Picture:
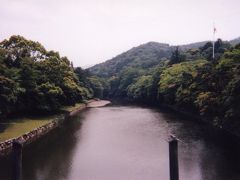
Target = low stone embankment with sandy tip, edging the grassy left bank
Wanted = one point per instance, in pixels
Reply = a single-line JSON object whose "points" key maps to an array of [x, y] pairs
{"points": [[6, 146]]}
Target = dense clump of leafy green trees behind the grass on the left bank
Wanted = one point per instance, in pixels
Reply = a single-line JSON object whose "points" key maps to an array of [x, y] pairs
{"points": [[34, 79]]}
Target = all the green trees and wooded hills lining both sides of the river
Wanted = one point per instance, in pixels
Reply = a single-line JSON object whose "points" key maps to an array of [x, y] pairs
{"points": [[185, 77]]}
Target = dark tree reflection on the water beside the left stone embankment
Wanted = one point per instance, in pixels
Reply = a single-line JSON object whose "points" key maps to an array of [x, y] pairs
{"points": [[50, 157]]}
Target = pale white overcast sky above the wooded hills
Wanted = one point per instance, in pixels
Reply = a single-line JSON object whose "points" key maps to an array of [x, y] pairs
{"points": [[92, 31]]}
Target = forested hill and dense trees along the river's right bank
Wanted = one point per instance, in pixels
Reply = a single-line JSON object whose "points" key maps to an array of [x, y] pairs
{"points": [[187, 79]]}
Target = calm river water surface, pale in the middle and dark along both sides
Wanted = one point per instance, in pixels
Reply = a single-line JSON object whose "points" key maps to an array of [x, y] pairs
{"points": [[127, 143]]}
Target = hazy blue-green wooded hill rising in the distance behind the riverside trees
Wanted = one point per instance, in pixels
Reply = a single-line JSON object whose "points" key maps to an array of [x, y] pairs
{"points": [[143, 56]]}
